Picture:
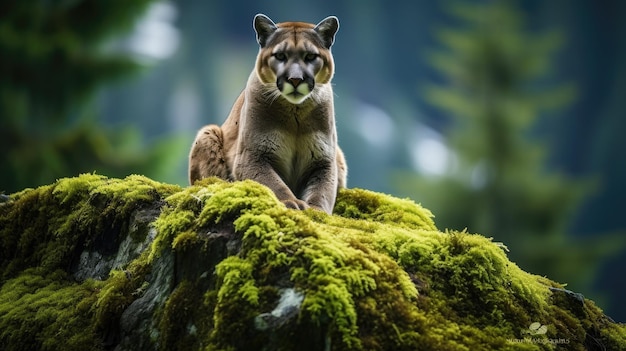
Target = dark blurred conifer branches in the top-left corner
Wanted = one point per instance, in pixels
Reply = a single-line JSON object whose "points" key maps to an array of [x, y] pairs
{"points": [[52, 55]]}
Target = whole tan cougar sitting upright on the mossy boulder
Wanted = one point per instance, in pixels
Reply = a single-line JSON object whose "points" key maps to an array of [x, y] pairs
{"points": [[281, 130]]}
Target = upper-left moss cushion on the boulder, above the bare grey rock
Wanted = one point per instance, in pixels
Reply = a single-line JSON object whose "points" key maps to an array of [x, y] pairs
{"points": [[50, 226]]}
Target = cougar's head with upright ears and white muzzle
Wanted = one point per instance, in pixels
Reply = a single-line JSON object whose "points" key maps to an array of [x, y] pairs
{"points": [[295, 56]]}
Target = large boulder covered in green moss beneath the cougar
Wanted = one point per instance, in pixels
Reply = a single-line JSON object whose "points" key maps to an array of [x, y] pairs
{"points": [[92, 263]]}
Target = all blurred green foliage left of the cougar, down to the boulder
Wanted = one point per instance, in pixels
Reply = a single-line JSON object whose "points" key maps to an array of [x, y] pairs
{"points": [[53, 58]]}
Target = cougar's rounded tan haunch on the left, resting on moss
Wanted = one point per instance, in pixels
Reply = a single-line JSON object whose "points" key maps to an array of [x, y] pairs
{"points": [[207, 157]]}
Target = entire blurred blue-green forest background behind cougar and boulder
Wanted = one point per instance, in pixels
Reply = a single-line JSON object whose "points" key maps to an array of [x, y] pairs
{"points": [[502, 117]]}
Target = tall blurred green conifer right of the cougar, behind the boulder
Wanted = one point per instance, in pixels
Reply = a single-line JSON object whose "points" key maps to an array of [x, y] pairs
{"points": [[494, 93]]}
